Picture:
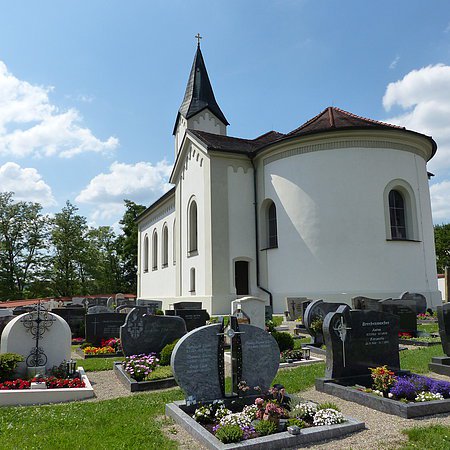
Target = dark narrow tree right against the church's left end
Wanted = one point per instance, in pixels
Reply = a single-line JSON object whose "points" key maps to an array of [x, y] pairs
{"points": [[128, 245]]}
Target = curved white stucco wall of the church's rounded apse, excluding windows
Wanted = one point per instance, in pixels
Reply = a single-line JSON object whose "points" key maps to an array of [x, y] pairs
{"points": [[331, 224]]}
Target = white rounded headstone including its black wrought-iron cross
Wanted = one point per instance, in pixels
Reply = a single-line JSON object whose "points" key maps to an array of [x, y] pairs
{"points": [[41, 337]]}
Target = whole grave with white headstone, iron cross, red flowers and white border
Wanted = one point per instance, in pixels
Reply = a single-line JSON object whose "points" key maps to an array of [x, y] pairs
{"points": [[35, 362]]}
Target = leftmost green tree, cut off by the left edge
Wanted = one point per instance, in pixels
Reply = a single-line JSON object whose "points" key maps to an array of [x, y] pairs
{"points": [[23, 244]]}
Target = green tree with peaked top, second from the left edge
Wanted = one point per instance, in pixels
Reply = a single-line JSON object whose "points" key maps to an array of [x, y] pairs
{"points": [[70, 260]]}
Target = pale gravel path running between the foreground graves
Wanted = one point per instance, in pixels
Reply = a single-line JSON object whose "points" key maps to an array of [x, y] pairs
{"points": [[383, 431]]}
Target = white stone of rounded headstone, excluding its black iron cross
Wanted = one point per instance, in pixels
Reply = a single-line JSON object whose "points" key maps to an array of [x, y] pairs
{"points": [[55, 340]]}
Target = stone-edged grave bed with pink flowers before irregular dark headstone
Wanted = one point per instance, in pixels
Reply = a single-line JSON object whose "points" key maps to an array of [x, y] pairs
{"points": [[143, 373]]}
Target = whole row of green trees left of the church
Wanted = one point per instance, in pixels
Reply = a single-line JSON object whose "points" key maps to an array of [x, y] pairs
{"points": [[60, 255]]}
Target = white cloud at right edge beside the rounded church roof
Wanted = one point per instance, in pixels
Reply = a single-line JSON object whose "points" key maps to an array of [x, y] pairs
{"points": [[424, 96]]}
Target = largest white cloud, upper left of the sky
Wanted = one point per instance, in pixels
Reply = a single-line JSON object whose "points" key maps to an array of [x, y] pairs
{"points": [[31, 125]]}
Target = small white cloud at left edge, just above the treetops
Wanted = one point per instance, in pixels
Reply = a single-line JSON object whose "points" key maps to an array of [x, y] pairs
{"points": [[26, 183]]}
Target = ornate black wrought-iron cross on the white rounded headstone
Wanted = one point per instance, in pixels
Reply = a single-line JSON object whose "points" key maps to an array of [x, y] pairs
{"points": [[37, 323]]}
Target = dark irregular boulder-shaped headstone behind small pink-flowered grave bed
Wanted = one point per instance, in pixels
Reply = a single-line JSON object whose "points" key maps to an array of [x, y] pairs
{"points": [[145, 333]]}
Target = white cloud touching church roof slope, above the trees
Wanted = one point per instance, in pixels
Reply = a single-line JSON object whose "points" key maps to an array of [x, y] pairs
{"points": [[141, 182]]}
